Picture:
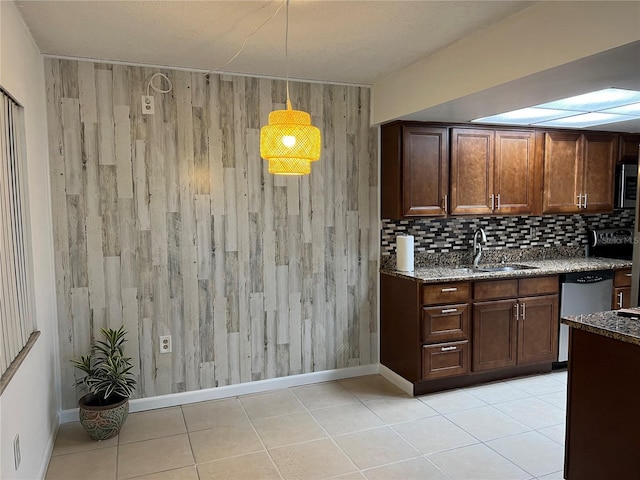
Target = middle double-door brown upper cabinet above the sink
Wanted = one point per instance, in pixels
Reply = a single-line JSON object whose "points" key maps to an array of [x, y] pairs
{"points": [[493, 172]]}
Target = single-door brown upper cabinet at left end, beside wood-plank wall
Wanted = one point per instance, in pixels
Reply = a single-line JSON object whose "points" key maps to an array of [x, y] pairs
{"points": [[414, 171]]}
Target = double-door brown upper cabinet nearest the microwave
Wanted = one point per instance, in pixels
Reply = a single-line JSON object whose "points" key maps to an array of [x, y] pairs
{"points": [[579, 172]]}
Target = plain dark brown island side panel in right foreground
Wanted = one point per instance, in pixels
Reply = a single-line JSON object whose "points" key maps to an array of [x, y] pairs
{"points": [[603, 397]]}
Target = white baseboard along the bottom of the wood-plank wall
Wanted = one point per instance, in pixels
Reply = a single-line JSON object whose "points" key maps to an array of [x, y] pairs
{"points": [[182, 398]]}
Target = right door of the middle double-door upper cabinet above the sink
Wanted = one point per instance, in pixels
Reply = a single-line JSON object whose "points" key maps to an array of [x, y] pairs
{"points": [[514, 184]]}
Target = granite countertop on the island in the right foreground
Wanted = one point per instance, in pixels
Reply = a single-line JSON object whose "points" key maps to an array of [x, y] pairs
{"points": [[608, 324]]}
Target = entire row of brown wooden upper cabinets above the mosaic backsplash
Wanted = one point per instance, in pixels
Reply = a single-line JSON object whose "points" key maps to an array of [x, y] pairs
{"points": [[435, 170]]}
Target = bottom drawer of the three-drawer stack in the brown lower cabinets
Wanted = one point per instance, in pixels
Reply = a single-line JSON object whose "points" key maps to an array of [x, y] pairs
{"points": [[445, 360]]}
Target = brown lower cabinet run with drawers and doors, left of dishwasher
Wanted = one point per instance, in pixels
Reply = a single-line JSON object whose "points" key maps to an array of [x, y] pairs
{"points": [[434, 337]]}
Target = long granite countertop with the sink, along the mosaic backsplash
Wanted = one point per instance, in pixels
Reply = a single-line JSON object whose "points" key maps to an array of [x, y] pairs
{"points": [[537, 268]]}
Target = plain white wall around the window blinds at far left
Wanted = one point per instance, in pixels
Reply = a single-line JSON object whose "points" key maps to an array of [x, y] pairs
{"points": [[29, 405]]}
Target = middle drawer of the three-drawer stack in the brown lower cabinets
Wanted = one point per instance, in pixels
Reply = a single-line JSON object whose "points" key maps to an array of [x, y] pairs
{"points": [[445, 323]]}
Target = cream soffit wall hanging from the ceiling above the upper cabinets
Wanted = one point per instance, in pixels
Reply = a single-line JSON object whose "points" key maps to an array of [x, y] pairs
{"points": [[541, 37]]}
